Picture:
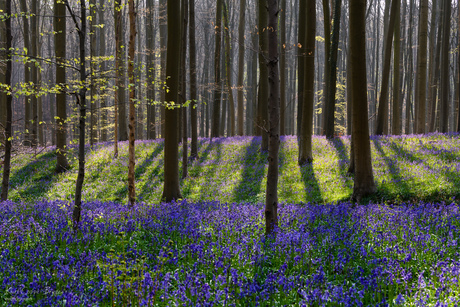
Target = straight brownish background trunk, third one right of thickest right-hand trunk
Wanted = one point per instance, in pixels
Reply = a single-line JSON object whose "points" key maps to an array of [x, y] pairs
{"points": [[420, 87]]}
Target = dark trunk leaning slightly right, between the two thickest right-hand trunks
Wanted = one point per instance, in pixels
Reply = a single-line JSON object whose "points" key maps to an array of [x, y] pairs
{"points": [[331, 84]]}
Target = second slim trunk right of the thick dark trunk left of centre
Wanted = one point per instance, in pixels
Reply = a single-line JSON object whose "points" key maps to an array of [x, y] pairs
{"points": [[193, 83]]}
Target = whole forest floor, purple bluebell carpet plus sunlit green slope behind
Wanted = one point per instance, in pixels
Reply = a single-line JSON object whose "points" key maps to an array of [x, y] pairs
{"points": [[398, 247]]}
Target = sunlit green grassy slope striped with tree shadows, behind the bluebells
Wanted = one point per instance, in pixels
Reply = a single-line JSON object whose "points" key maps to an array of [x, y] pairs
{"points": [[234, 170]]}
